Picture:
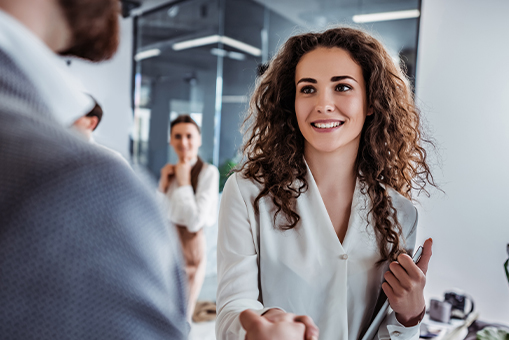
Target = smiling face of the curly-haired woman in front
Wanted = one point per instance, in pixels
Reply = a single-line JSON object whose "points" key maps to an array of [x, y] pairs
{"points": [[330, 99]]}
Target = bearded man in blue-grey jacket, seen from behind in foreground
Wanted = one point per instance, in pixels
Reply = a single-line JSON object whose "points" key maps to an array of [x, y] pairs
{"points": [[84, 250]]}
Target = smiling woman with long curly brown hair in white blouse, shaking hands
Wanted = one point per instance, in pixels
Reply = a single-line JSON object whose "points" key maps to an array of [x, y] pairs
{"points": [[311, 221]]}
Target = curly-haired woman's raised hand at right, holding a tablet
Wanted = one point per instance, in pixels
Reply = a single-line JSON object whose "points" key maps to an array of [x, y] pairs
{"points": [[404, 286]]}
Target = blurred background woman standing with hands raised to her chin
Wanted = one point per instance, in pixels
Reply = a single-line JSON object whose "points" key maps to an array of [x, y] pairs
{"points": [[191, 188]]}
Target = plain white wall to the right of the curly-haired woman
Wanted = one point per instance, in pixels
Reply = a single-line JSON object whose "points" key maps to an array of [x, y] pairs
{"points": [[463, 91]]}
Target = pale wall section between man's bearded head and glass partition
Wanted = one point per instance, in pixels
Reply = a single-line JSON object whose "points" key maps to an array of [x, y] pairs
{"points": [[110, 83]]}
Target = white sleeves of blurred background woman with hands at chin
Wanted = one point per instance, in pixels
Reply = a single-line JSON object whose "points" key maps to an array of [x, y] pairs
{"points": [[195, 210]]}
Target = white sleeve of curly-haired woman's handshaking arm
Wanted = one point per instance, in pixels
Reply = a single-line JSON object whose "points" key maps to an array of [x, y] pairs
{"points": [[237, 265]]}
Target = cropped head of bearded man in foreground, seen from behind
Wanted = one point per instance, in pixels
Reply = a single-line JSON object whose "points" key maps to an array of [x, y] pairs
{"points": [[87, 29]]}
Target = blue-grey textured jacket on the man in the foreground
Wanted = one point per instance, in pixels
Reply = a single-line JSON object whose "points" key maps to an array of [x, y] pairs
{"points": [[84, 250]]}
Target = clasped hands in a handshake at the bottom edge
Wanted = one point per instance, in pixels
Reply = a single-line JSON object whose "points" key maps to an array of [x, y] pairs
{"points": [[276, 324]]}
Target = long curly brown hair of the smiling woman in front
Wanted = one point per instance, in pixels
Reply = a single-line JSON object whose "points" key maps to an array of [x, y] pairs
{"points": [[390, 153]]}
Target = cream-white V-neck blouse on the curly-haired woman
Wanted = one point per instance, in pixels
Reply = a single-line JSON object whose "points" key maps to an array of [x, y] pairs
{"points": [[305, 270]]}
